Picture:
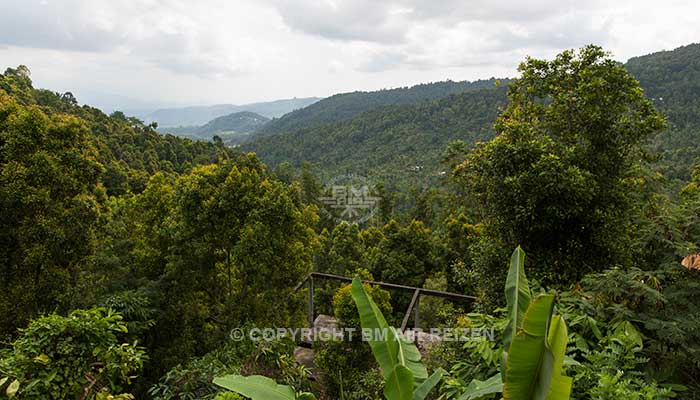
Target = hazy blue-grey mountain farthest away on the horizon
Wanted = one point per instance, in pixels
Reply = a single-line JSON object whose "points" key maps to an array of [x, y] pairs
{"points": [[200, 115]]}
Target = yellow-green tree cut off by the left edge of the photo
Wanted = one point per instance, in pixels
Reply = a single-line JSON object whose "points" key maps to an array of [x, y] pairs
{"points": [[48, 174]]}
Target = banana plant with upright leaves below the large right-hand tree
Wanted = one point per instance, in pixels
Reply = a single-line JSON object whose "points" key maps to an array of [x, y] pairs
{"points": [[535, 344]]}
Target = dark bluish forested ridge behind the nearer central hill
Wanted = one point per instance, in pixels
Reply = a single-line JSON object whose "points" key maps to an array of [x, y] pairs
{"points": [[344, 106]]}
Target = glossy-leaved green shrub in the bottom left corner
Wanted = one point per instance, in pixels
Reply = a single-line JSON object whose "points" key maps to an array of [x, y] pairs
{"points": [[82, 354]]}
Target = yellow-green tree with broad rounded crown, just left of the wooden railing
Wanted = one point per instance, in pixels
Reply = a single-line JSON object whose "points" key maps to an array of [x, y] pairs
{"points": [[241, 241]]}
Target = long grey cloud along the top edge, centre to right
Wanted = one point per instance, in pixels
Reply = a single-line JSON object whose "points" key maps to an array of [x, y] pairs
{"points": [[389, 22]]}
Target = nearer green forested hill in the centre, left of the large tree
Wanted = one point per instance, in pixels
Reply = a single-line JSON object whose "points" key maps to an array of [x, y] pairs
{"points": [[392, 142]]}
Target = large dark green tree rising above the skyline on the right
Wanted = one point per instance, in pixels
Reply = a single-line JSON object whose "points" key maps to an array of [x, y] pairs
{"points": [[557, 178]]}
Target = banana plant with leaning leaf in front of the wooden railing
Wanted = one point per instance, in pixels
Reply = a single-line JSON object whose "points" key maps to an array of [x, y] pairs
{"points": [[405, 376]]}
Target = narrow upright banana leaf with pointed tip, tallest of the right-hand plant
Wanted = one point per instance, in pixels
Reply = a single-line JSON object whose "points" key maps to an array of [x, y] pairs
{"points": [[517, 296]]}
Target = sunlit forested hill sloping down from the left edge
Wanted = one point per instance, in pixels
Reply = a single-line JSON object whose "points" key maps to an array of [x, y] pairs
{"points": [[127, 150]]}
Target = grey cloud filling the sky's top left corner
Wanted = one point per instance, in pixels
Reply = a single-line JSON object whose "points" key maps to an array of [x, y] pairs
{"points": [[159, 32]]}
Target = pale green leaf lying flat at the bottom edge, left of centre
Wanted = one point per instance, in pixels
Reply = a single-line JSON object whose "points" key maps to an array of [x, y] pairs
{"points": [[256, 387]]}
